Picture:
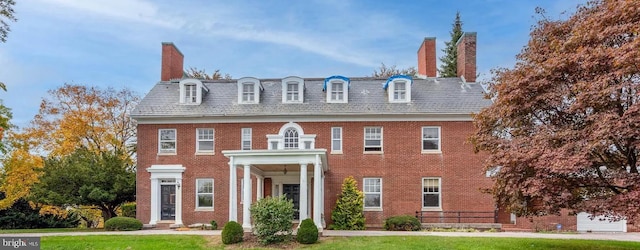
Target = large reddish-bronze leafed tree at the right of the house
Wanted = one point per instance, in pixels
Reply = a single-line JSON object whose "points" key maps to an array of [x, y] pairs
{"points": [[564, 126]]}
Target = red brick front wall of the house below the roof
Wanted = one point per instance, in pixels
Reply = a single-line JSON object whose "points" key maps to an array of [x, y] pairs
{"points": [[401, 167]]}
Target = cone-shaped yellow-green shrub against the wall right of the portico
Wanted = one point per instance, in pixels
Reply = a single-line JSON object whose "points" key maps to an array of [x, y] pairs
{"points": [[349, 211]]}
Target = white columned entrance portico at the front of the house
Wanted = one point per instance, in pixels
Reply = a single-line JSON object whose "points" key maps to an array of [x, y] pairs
{"points": [[284, 167]]}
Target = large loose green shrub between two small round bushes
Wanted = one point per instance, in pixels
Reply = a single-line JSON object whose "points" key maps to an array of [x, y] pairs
{"points": [[273, 219]]}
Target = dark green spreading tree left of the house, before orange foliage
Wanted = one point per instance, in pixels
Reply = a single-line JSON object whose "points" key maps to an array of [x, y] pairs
{"points": [[101, 179]]}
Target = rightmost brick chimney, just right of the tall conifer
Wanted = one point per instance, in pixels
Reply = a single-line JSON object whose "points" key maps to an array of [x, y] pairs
{"points": [[466, 60]]}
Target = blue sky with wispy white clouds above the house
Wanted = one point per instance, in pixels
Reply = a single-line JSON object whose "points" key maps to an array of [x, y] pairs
{"points": [[117, 43]]}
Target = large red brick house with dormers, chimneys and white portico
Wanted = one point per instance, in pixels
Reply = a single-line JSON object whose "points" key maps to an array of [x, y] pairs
{"points": [[207, 149]]}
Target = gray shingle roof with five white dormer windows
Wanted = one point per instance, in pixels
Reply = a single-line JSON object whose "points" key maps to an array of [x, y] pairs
{"points": [[366, 96]]}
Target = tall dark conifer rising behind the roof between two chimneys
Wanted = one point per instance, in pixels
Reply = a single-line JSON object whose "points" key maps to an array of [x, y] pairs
{"points": [[449, 66]]}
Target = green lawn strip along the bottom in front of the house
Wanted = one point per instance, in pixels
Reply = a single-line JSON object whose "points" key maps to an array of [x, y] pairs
{"points": [[156, 242]]}
